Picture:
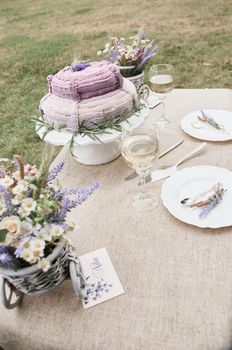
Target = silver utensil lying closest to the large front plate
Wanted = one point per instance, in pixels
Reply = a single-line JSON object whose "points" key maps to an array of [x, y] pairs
{"points": [[164, 173]]}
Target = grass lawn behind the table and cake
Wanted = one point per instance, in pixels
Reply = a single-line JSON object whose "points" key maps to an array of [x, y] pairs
{"points": [[39, 37]]}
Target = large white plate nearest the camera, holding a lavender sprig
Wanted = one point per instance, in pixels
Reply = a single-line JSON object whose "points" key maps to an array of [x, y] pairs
{"points": [[193, 181]]}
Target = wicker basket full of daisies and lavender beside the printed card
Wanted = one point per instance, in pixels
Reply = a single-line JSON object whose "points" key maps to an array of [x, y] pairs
{"points": [[34, 243]]}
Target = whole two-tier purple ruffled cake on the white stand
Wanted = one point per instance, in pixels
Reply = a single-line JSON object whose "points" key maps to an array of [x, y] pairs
{"points": [[86, 94]]}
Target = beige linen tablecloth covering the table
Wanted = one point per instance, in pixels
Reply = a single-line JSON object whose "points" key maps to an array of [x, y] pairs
{"points": [[177, 277]]}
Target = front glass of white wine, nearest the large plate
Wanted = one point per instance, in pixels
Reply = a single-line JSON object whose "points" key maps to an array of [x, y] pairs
{"points": [[140, 149]]}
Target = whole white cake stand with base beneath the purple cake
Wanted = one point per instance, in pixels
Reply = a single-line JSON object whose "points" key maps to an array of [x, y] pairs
{"points": [[94, 152]]}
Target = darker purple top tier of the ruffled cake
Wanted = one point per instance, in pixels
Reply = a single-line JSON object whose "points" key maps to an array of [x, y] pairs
{"points": [[95, 79]]}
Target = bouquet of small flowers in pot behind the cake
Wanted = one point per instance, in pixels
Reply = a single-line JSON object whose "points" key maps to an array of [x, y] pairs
{"points": [[132, 56]]}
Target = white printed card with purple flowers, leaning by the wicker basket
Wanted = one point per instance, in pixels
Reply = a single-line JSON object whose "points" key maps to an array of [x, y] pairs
{"points": [[102, 280]]}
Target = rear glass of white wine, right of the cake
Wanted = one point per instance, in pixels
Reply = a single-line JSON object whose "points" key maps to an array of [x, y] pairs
{"points": [[161, 82]]}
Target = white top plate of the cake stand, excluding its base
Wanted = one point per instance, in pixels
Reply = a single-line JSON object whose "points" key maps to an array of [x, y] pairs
{"points": [[61, 138]]}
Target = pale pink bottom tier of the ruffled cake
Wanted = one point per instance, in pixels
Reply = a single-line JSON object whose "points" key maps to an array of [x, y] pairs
{"points": [[67, 114]]}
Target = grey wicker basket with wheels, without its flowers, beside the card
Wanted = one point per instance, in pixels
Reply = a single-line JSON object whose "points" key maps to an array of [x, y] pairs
{"points": [[32, 280]]}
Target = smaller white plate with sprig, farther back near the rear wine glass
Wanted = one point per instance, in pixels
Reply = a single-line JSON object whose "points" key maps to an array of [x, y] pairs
{"points": [[208, 133]]}
